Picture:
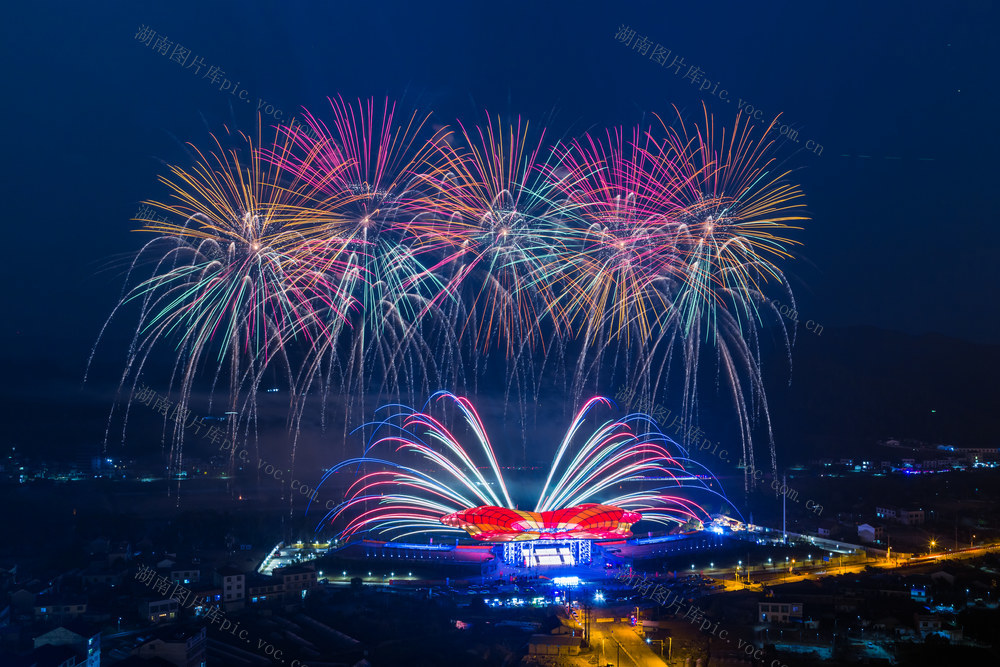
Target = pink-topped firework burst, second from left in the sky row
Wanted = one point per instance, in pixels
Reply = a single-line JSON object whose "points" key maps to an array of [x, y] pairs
{"points": [[371, 165]]}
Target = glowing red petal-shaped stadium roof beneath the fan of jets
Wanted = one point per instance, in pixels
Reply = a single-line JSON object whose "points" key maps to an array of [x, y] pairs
{"points": [[583, 522]]}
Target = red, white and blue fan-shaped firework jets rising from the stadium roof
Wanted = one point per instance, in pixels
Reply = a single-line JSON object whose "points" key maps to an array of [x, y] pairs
{"points": [[422, 472]]}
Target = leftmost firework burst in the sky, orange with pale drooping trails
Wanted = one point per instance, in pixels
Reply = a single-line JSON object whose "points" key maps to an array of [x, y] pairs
{"points": [[234, 278]]}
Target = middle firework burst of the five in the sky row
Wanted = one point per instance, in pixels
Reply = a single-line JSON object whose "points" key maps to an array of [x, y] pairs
{"points": [[493, 219]]}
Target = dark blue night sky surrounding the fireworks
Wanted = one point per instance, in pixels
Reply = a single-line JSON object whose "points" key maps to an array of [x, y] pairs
{"points": [[902, 97]]}
